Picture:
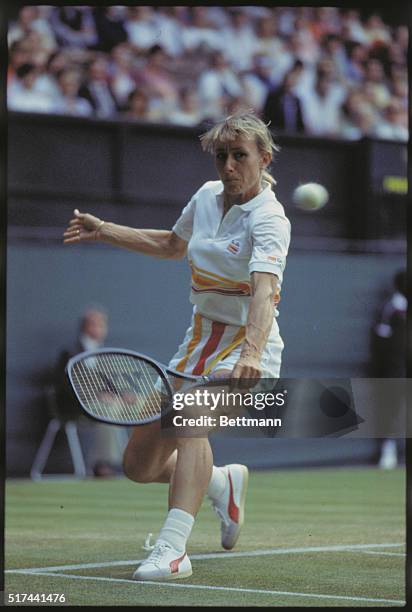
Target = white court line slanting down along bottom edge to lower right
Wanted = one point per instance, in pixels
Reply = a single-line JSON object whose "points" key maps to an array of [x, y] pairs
{"points": [[221, 588]]}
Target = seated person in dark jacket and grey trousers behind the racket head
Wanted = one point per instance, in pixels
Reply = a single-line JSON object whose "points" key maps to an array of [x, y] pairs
{"points": [[103, 448]]}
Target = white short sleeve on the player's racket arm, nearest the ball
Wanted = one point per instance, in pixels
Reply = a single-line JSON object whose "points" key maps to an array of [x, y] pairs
{"points": [[270, 234]]}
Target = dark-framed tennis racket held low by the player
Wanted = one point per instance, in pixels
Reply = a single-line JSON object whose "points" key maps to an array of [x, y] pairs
{"points": [[123, 387]]}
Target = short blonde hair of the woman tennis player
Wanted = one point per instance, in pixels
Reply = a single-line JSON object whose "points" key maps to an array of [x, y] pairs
{"points": [[245, 124]]}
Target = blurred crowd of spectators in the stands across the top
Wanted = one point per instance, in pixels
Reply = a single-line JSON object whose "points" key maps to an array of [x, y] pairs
{"points": [[322, 71]]}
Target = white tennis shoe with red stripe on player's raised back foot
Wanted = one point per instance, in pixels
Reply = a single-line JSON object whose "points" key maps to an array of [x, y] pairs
{"points": [[230, 507]]}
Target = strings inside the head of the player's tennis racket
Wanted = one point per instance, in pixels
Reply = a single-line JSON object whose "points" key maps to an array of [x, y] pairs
{"points": [[119, 387]]}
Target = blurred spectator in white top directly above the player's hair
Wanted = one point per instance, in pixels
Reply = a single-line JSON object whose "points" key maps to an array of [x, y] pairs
{"points": [[216, 86]]}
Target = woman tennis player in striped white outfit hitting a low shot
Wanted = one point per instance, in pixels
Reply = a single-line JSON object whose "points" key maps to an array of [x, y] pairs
{"points": [[236, 237]]}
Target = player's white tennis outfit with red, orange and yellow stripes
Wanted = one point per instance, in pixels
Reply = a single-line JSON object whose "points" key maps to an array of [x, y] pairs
{"points": [[222, 253]]}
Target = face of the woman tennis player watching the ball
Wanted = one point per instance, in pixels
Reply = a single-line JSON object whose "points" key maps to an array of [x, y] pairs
{"points": [[239, 164]]}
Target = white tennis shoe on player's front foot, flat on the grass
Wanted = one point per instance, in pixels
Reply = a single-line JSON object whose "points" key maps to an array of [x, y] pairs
{"points": [[164, 563]]}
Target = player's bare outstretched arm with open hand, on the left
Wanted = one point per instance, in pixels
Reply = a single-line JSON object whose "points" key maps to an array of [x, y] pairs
{"points": [[164, 244]]}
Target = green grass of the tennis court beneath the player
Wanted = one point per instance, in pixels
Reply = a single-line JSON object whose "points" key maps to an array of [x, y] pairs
{"points": [[96, 521]]}
